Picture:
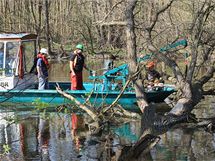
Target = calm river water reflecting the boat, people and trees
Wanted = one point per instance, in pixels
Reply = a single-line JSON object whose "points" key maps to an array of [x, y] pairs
{"points": [[51, 136]]}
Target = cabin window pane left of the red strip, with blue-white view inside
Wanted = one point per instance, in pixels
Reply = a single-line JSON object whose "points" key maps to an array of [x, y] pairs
{"points": [[12, 49]]}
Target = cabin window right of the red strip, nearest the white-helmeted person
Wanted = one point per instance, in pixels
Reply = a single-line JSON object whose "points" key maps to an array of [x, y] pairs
{"points": [[29, 54]]}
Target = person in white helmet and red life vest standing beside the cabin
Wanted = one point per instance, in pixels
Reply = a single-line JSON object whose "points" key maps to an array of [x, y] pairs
{"points": [[42, 69]]}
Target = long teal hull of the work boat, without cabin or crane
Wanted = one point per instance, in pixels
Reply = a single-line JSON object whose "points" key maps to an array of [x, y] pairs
{"points": [[97, 98]]}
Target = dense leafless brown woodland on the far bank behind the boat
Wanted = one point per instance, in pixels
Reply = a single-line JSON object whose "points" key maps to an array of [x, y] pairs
{"points": [[98, 24]]}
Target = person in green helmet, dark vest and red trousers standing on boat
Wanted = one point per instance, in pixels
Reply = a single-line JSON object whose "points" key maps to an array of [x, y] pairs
{"points": [[77, 63]]}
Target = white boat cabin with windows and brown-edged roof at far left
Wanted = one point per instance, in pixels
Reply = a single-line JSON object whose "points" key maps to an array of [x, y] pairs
{"points": [[17, 54]]}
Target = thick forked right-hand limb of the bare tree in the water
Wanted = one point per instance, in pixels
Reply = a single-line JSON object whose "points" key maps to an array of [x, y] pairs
{"points": [[191, 90]]}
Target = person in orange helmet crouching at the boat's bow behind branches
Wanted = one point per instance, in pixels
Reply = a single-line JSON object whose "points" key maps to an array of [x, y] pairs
{"points": [[153, 77]]}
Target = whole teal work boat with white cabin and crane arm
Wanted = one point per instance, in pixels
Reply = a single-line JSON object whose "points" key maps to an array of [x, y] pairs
{"points": [[18, 85]]}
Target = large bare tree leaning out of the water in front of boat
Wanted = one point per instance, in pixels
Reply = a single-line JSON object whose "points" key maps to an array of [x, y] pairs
{"points": [[190, 84]]}
